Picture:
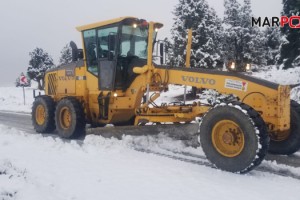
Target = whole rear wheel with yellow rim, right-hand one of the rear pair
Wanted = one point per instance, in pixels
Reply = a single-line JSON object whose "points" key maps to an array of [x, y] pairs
{"points": [[70, 118]]}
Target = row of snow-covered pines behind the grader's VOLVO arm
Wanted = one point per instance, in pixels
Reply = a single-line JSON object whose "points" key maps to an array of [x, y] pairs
{"points": [[218, 41]]}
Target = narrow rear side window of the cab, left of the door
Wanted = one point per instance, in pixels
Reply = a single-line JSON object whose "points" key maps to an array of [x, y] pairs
{"points": [[91, 50]]}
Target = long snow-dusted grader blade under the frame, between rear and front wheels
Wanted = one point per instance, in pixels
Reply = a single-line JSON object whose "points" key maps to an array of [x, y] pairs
{"points": [[177, 131]]}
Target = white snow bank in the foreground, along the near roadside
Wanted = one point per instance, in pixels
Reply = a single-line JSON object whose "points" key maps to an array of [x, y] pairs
{"points": [[45, 167]]}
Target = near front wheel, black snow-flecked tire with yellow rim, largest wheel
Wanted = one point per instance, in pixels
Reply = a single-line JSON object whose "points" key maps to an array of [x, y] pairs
{"points": [[234, 137]]}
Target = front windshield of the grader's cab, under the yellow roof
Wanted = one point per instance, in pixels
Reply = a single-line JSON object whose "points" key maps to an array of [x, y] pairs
{"points": [[134, 41]]}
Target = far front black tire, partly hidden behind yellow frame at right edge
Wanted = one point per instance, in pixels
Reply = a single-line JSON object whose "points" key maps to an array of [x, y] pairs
{"points": [[292, 143]]}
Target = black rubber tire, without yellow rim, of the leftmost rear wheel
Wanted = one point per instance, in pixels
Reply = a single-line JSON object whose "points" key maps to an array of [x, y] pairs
{"points": [[49, 106]]}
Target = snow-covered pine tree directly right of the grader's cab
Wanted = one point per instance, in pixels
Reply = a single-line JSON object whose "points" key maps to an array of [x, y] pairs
{"points": [[207, 33]]}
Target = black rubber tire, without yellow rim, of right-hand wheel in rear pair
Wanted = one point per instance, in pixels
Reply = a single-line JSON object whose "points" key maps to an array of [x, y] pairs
{"points": [[78, 122]]}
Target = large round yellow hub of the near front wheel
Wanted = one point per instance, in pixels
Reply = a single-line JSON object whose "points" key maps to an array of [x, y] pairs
{"points": [[228, 138]]}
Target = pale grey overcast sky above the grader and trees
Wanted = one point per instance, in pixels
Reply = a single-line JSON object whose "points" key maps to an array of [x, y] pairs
{"points": [[50, 24]]}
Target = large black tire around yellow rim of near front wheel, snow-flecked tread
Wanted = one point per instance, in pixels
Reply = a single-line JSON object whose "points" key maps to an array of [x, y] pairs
{"points": [[256, 139]]}
